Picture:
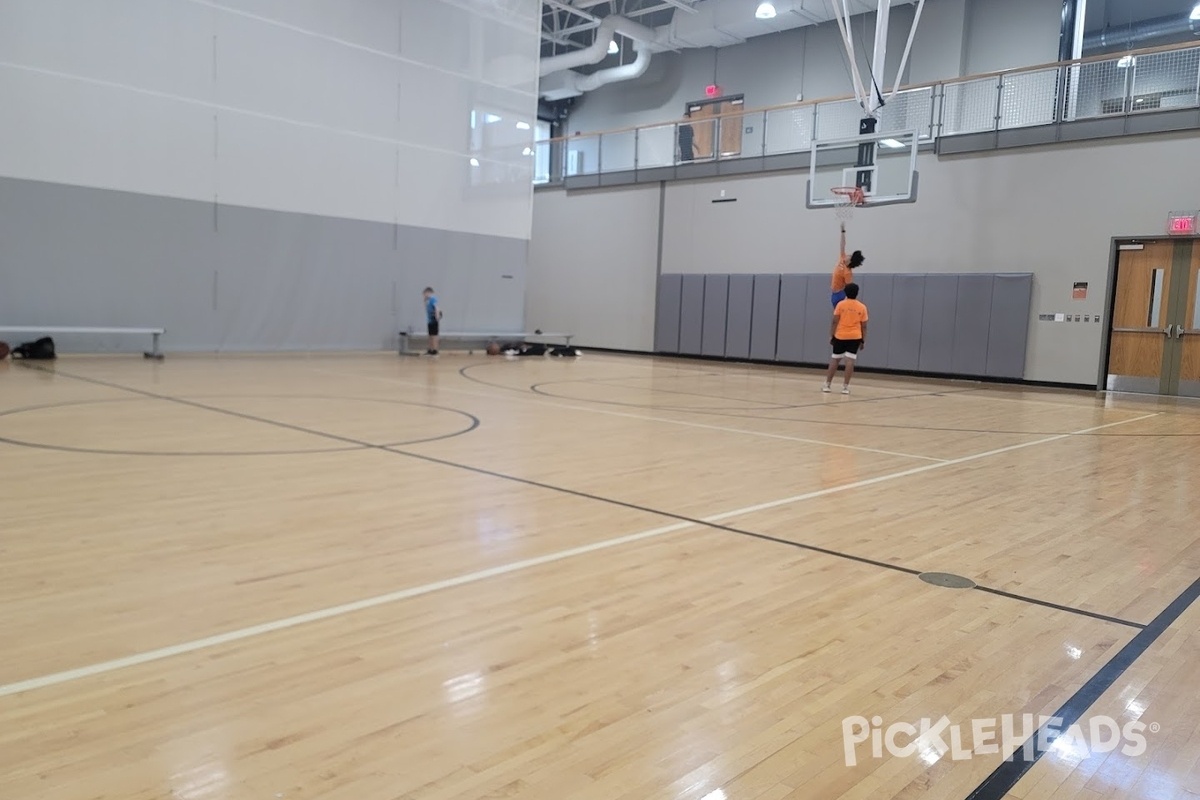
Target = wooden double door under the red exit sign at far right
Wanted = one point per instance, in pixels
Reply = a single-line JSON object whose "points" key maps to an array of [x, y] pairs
{"points": [[1155, 345]]}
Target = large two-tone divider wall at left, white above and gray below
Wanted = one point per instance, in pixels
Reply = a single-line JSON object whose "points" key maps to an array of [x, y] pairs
{"points": [[333, 112]]}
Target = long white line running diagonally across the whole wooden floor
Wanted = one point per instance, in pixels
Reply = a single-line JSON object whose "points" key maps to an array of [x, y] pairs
{"points": [[473, 578]]}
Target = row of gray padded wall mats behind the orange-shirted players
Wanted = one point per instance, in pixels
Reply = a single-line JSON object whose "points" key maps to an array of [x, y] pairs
{"points": [[970, 324]]}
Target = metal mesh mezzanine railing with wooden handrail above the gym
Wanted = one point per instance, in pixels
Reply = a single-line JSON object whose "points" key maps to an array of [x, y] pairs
{"points": [[1138, 82]]}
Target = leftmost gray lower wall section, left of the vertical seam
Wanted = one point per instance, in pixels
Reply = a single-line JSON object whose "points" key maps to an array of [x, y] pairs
{"points": [[83, 257]]}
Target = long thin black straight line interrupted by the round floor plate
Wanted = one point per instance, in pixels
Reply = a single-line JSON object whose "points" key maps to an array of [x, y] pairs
{"points": [[578, 494]]}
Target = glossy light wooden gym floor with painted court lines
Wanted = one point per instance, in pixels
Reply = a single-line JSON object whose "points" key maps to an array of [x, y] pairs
{"points": [[369, 578]]}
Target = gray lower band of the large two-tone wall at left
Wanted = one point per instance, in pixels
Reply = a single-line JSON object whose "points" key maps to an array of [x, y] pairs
{"points": [[236, 279]]}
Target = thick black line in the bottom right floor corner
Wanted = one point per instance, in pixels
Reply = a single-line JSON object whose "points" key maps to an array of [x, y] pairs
{"points": [[1009, 774]]}
